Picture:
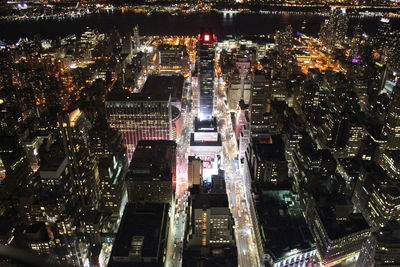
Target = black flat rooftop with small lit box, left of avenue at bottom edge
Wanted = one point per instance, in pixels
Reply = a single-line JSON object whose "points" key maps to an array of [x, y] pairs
{"points": [[141, 234]]}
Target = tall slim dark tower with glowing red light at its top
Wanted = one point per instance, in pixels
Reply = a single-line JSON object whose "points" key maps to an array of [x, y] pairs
{"points": [[206, 69]]}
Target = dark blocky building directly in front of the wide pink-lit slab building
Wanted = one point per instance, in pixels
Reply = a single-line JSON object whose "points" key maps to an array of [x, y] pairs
{"points": [[152, 172]]}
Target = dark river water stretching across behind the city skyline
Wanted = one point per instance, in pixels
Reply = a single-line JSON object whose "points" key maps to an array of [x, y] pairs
{"points": [[166, 24]]}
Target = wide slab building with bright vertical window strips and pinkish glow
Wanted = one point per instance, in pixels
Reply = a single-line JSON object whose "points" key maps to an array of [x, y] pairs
{"points": [[152, 114]]}
